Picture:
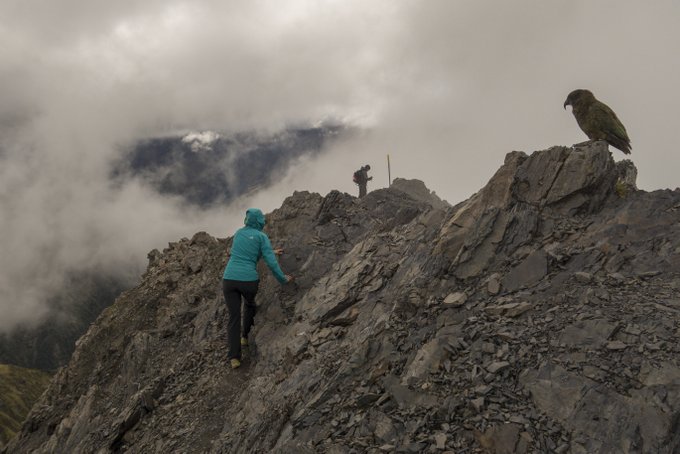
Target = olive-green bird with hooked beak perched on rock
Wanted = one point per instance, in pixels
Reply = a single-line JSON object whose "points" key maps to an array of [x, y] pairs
{"points": [[597, 120]]}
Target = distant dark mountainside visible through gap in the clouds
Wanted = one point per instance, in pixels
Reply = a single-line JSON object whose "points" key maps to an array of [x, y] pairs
{"points": [[209, 168]]}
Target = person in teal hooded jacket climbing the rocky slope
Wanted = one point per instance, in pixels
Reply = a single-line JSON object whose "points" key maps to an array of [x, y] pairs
{"points": [[241, 279]]}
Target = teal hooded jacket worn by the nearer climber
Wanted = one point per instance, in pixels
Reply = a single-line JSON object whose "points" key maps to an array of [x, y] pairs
{"points": [[249, 245]]}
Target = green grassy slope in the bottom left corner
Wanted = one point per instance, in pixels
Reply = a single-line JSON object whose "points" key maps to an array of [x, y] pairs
{"points": [[19, 389]]}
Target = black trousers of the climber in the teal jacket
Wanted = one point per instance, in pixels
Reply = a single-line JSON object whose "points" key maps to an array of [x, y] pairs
{"points": [[233, 290]]}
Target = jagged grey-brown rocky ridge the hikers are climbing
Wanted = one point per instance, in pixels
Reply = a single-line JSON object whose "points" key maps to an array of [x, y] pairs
{"points": [[540, 315]]}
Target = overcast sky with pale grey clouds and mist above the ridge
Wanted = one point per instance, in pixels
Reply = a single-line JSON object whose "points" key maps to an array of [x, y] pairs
{"points": [[446, 87]]}
